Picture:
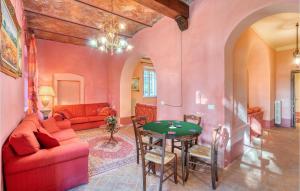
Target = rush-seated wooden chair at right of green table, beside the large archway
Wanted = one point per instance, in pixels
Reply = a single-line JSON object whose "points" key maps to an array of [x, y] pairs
{"points": [[205, 156]]}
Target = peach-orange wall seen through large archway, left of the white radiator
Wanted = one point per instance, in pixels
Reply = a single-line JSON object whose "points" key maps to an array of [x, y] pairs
{"points": [[259, 59]]}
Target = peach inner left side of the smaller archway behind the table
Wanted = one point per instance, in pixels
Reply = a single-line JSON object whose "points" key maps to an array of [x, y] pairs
{"points": [[126, 104]]}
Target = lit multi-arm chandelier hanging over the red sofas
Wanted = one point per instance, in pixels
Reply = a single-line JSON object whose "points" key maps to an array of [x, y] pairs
{"points": [[111, 42]]}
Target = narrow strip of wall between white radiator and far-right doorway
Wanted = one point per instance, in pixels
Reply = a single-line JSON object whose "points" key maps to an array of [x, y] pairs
{"points": [[284, 66]]}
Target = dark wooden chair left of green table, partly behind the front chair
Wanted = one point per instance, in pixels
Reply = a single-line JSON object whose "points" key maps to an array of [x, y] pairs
{"points": [[138, 123]]}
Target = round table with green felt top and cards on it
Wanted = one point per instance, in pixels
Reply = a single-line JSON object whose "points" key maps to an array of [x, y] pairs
{"points": [[175, 129]]}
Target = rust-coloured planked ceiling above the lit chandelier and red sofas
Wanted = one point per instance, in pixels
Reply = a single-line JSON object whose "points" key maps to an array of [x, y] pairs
{"points": [[73, 21]]}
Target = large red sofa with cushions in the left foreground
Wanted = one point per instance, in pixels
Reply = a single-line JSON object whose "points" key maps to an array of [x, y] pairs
{"points": [[28, 167]]}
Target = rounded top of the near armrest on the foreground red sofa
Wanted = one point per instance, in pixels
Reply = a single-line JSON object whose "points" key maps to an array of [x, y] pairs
{"points": [[46, 157]]}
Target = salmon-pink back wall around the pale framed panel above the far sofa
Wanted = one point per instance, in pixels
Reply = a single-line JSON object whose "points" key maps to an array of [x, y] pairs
{"points": [[54, 57]]}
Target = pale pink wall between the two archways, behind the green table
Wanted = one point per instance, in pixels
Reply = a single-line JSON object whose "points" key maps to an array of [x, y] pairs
{"points": [[210, 25]]}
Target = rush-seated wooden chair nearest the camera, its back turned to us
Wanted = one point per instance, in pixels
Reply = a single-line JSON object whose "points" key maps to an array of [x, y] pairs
{"points": [[156, 154]]}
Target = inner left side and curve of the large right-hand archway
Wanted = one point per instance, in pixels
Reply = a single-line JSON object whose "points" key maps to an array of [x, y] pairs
{"points": [[235, 102]]}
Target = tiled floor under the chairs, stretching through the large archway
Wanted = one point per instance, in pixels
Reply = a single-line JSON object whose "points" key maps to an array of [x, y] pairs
{"points": [[272, 165]]}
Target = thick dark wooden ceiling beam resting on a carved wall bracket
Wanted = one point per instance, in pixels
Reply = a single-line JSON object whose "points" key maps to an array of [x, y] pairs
{"points": [[174, 9]]}
